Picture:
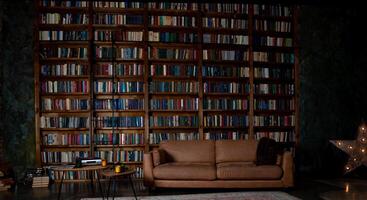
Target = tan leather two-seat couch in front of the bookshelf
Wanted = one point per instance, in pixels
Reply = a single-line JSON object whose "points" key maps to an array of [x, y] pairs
{"points": [[214, 164]]}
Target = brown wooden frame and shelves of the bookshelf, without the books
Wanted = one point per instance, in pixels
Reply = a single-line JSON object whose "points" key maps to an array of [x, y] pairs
{"points": [[147, 95]]}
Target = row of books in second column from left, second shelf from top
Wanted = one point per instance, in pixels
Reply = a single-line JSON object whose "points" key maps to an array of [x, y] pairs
{"points": [[117, 19]]}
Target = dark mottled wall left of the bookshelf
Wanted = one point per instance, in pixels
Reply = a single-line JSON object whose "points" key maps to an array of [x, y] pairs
{"points": [[17, 92]]}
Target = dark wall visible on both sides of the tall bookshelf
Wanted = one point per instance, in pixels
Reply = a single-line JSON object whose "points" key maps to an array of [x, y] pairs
{"points": [[333, 96]]}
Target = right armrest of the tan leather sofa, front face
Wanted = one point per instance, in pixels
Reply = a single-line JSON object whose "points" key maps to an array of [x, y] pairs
{"points": [[288, 169]]}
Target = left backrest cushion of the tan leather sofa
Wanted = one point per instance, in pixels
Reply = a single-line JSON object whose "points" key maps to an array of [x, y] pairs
{"points": [[189, 151]]}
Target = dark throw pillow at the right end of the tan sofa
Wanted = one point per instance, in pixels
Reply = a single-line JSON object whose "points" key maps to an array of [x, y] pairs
{"points": [[266, 153]]}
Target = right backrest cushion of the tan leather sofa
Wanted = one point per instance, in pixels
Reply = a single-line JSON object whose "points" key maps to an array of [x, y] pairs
{"points": [[235, 150]]}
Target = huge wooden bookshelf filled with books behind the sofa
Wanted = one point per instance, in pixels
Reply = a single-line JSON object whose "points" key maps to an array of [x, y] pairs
{"points": [[113, 79]]}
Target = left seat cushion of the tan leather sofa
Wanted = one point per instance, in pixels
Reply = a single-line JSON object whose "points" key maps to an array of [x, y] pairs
{"points": [[185, 171]]}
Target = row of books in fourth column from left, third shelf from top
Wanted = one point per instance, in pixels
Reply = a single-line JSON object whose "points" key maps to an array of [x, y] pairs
{"points": [[225, 39]]}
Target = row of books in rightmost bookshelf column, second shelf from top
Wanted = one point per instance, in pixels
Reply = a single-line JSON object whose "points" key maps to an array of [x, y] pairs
{"points": [[271, 25]]}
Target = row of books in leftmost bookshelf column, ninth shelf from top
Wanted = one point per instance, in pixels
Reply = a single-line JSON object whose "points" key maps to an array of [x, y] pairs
{"points": [[81, 138]]}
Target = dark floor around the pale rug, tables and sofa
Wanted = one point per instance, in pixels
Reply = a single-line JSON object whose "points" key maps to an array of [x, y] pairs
{"points": [[307, 189]]}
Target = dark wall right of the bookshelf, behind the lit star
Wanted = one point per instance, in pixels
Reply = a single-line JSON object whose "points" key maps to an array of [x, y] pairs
{"points": [[333, 86]]}
